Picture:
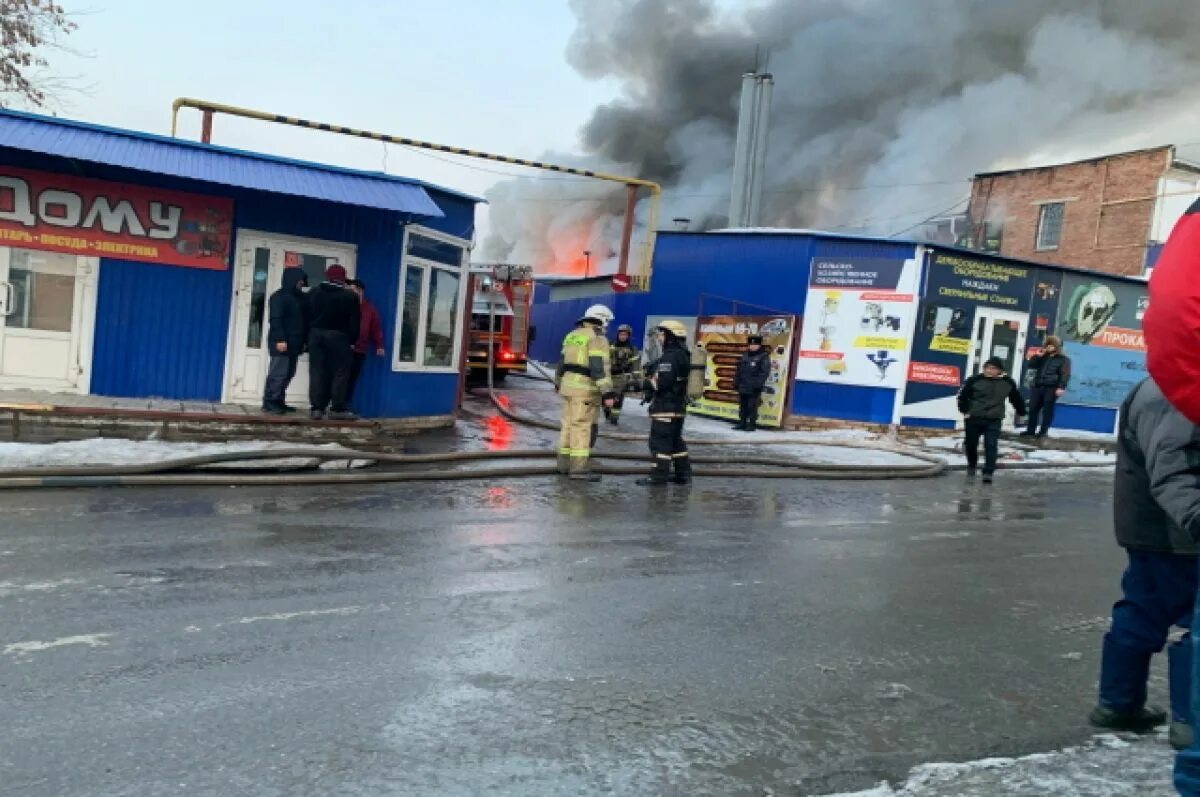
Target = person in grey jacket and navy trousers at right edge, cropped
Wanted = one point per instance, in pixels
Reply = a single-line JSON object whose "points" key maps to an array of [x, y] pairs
{"points": [[1156, 502]]}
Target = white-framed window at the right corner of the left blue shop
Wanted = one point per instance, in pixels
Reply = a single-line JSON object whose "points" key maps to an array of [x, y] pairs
{"points": [[433, 277]]}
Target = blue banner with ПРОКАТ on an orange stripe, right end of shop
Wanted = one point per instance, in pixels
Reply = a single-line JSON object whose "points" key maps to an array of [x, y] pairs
{"points": [[1101, 325]]}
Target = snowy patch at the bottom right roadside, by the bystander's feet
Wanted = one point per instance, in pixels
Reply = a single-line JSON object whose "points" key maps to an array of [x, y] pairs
{"points": [[1107, 766]]}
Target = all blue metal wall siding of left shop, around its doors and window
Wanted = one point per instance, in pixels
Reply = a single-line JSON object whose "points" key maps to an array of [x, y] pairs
{"points": [[163, 331]]}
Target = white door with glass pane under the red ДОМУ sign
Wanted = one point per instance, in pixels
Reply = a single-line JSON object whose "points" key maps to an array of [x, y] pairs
{"points": [[47, 317]]}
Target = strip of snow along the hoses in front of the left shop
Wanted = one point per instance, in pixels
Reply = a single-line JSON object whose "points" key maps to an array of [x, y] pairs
{"points": [[105, 451]]}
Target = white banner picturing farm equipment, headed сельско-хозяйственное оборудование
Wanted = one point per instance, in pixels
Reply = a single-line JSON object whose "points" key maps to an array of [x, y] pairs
{"points": [[859, 321]]}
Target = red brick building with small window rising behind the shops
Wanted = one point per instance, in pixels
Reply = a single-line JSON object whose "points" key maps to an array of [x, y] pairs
{"points": [[1109, 214]]}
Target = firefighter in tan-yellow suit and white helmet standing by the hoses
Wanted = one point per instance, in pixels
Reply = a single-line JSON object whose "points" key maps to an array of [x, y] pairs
{"points": [[585, 381]]}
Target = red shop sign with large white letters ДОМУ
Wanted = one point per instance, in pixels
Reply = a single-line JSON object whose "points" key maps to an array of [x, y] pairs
{"points": [[43, 211]]}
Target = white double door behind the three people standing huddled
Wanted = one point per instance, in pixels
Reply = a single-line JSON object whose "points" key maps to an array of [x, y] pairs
{"points": [[260, 273]]}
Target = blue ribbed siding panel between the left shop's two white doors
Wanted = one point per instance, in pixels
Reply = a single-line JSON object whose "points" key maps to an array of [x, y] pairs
{"points": [[161, 332]]}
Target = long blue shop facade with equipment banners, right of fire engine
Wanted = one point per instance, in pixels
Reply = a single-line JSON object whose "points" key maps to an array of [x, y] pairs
{"points": [[889, 331]]}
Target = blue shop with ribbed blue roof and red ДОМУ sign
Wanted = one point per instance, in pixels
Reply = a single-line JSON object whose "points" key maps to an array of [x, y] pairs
{"points": [[139, 266]]}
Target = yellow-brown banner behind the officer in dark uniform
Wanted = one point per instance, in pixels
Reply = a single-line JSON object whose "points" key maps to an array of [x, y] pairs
{"points": [[724, 339]]}
